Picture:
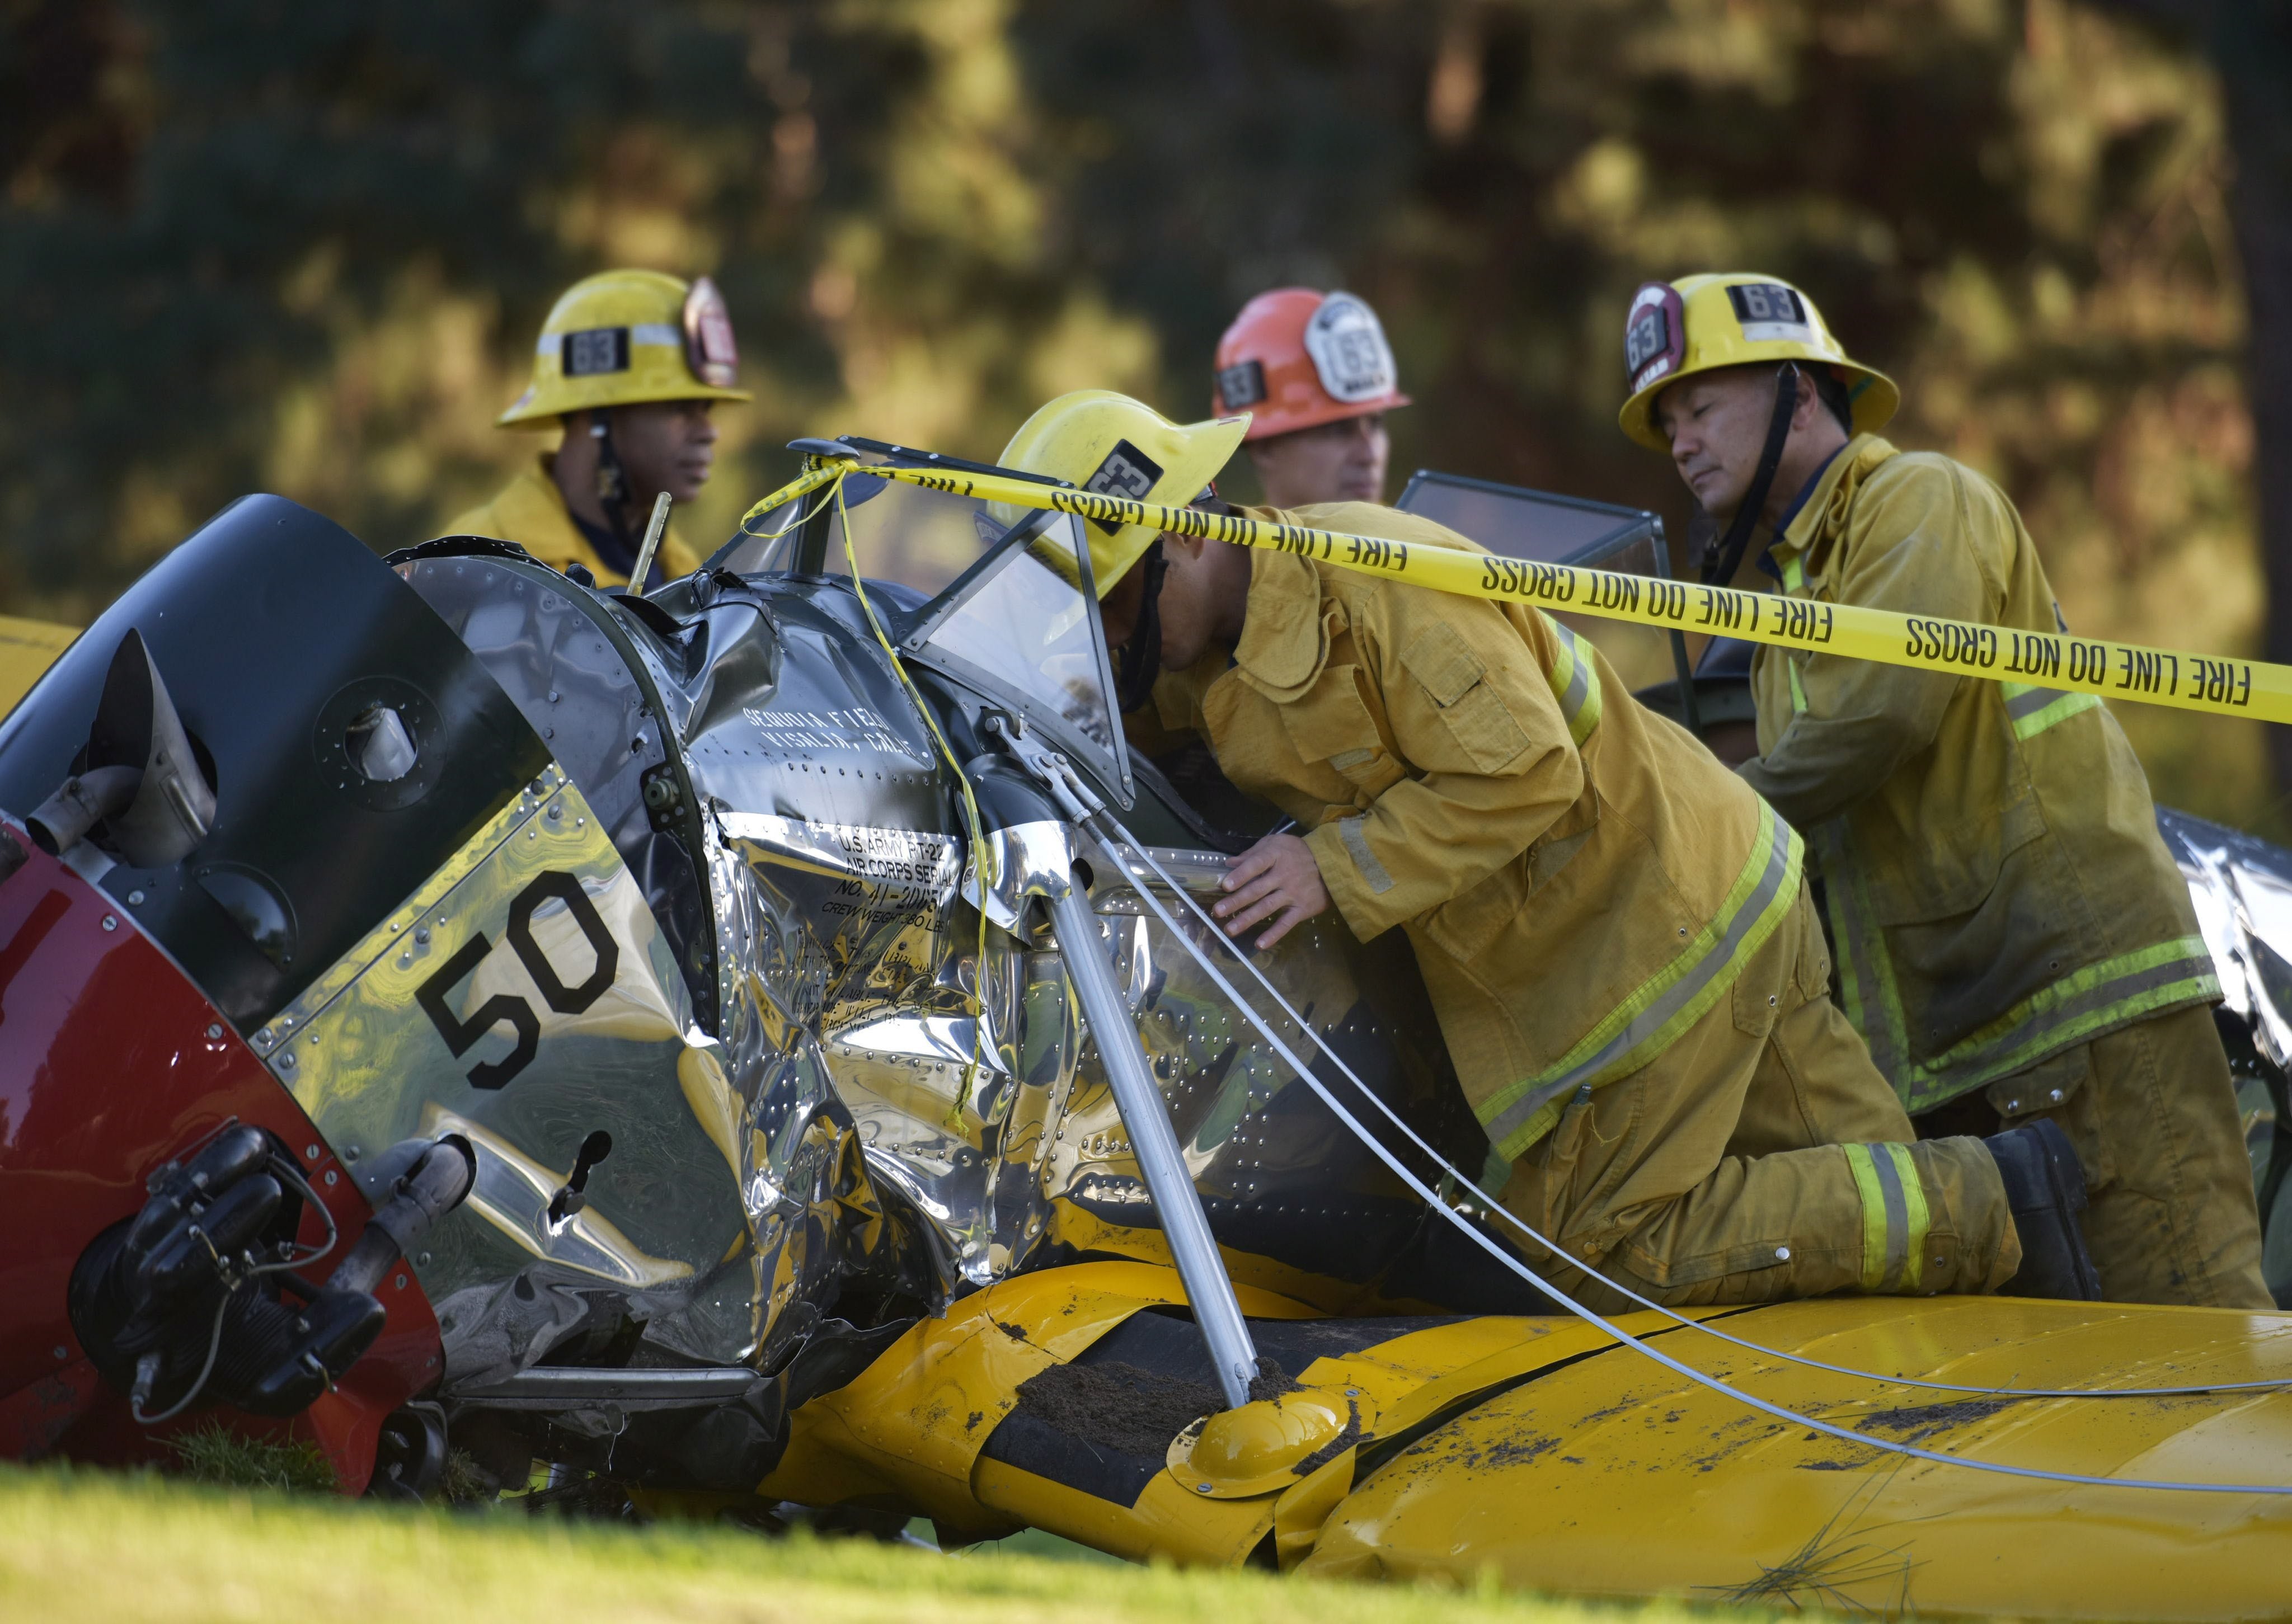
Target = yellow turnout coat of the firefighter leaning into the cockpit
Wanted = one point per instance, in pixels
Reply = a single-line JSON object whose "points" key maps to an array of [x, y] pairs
{"points": [[1576, 874]]}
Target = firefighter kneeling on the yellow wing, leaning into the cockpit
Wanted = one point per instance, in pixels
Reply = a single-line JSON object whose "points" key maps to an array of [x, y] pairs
{"points": [[1626, 965]]}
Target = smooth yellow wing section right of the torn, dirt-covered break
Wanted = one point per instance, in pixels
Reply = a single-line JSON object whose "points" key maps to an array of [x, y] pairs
{"points": [[1622, 1479]]}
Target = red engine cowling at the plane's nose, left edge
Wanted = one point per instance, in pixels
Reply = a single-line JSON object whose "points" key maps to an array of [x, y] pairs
{"points": [[111, 1066]]}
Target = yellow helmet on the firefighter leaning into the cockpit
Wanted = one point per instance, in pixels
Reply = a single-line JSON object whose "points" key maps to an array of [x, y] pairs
{"points": [[1122, 448]]}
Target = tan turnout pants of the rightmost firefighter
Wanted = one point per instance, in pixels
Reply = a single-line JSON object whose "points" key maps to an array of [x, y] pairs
{"points": [[2153, 1117]]}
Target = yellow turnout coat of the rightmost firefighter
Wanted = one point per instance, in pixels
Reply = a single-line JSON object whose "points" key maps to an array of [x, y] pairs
{"points": [[1995, 878]]}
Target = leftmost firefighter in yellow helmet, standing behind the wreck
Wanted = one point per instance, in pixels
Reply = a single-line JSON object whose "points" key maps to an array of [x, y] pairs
{"points": [[629, 365]]}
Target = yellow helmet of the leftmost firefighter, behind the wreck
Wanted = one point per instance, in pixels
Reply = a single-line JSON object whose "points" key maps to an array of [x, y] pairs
{"points": [[625, 338]]}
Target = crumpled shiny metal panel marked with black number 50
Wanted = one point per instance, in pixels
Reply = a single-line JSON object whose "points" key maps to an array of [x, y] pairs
{"points": [[725, 1215]]}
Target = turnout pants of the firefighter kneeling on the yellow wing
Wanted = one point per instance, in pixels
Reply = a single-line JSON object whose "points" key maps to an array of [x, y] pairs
{"points": [[1764, 1158]]}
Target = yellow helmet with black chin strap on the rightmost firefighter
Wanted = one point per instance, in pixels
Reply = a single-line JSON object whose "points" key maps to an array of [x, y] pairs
{"points": [[1734, 320]]}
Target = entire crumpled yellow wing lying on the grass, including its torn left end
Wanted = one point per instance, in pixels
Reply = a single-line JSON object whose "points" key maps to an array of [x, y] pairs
{"points": [[1567, 1463]]}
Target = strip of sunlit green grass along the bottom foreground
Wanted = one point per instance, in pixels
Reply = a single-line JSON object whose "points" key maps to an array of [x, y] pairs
{"points": [[102, 1547]]}
